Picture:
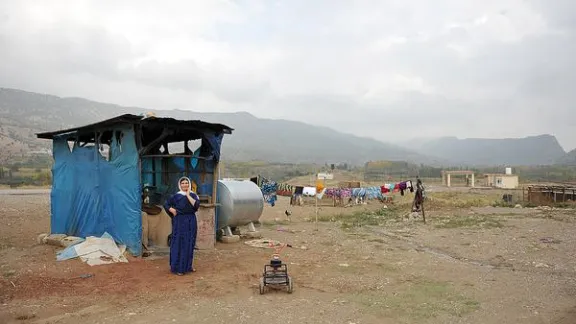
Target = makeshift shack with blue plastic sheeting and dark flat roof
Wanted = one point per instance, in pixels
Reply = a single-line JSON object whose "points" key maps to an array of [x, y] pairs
{"points": [[102, 171]]}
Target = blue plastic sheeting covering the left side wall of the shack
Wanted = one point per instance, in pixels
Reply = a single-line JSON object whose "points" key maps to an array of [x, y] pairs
{"points": [[91, 196]]}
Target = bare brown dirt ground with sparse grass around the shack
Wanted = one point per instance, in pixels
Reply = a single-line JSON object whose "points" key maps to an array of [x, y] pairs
{"points": [[465, 265]]}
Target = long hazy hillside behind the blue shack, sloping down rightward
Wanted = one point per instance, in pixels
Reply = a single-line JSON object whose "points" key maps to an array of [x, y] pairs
{"points": [[24, 113]]}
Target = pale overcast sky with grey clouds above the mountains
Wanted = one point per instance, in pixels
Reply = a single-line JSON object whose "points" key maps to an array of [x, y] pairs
{"points": [[387, 69]]}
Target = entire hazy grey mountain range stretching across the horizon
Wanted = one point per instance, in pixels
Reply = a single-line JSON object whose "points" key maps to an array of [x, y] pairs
{"points": [[22, 114]]}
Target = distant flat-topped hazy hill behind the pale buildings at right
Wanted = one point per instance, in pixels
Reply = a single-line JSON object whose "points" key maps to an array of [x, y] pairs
{"points": [[531, 150]]}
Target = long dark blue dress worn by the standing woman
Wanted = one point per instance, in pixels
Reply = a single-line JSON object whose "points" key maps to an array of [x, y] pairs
{"points": [[184, 230]]}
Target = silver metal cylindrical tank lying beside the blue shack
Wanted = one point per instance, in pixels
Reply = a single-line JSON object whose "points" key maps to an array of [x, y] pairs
{"points": [[238, 203]]}
